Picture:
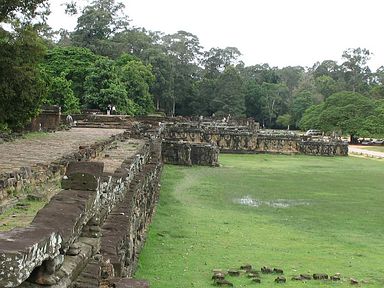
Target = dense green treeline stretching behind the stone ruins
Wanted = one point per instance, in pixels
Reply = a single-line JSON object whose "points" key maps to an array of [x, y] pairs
{"points": [[106, 61]]}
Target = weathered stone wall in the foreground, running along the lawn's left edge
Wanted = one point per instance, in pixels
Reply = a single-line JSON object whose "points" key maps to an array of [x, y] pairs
{"points": [[91, 232]]}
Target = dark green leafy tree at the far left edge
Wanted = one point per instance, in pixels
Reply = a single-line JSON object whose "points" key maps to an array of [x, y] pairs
{"points": [[22, 88]]}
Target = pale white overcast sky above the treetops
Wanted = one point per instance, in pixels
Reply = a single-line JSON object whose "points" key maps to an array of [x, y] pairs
{"points": [[278, 32]]}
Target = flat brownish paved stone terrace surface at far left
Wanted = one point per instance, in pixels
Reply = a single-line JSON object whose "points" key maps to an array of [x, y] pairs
{"points": [[46, 148]]}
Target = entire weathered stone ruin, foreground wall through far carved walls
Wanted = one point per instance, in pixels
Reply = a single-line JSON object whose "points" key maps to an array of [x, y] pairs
{"points": [[91, 232]]}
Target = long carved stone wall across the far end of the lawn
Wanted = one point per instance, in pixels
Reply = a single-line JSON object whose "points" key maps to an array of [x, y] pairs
{"points": [[243, 139]]}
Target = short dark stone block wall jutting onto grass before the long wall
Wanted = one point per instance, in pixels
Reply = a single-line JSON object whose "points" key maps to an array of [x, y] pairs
{"points": [[187, 153]]}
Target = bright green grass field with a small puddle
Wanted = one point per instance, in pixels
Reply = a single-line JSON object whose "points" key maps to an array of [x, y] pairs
{"points": [[299, 213]]}
